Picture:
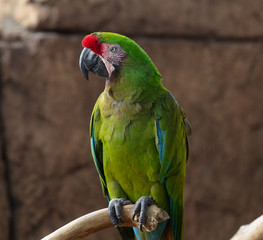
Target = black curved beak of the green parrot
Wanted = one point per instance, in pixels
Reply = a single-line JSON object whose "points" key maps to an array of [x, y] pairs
{"points": [[90, 61]]}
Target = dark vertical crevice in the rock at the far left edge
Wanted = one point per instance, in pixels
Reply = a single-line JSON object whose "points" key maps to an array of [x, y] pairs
{"points": [[4, 158]]}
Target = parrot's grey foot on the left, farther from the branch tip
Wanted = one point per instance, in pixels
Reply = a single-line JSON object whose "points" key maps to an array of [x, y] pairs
{"points": [[114, 210]]}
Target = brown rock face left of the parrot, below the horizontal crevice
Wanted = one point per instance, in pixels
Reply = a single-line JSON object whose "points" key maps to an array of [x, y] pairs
{"points": [[46, 108]]}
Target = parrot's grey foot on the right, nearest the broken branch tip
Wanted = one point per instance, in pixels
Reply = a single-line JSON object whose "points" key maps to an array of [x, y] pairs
{"points": [[141, 206]]}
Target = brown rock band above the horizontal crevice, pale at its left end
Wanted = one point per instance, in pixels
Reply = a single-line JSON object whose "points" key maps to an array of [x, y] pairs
{"points": [[238, 19]]}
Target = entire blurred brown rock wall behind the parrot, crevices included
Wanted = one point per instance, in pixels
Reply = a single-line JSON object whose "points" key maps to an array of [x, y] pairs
{"points": [[210, 54]]}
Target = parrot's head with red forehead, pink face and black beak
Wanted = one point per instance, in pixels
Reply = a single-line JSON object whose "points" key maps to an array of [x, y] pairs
{"points": [[115, 56]]}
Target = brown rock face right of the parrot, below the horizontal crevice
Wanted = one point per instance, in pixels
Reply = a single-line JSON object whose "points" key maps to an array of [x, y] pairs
{"points": [[220, 87]]}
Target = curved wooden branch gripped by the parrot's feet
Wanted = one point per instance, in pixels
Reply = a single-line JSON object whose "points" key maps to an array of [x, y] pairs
{"points": [[99, 220]]}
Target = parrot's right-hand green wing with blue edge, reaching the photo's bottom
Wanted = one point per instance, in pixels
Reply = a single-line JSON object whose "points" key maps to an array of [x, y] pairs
{"points": [[172, 128]]}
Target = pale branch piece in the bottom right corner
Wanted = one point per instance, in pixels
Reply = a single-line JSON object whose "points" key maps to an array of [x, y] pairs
{"points": [[252, 231]]}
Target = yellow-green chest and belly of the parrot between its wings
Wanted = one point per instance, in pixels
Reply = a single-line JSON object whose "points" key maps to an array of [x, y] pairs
{"points": [[130, 155]]}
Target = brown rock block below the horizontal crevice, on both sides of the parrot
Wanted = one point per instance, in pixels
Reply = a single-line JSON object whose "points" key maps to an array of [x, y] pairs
{"points": [[47, 106]]}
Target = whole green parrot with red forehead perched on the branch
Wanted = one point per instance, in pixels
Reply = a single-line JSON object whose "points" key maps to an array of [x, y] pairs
{"points": [[139, 135]]}
